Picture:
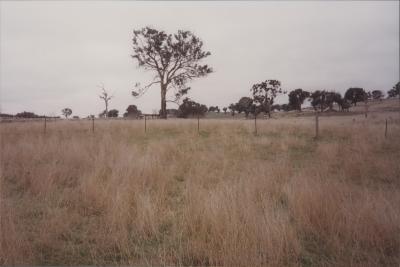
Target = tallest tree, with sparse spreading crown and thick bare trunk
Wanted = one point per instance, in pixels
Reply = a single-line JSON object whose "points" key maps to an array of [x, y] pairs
{"points": [[173, 58]]}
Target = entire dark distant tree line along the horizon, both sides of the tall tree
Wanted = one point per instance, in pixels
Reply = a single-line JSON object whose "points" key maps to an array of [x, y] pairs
{"points": [[260, 100]]}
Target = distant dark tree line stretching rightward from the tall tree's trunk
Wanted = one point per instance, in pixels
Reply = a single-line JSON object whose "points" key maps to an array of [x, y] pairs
{"points": [[263, 94]]}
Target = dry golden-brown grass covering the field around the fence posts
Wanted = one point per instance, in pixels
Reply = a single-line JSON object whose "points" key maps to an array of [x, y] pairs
{"points": [[221, 197]]}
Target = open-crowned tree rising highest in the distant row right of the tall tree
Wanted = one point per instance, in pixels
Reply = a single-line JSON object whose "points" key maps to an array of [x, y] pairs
{"points": [[264, 94]]}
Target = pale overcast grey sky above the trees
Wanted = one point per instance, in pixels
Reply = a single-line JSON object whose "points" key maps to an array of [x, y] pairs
{"points": [[55, 55]]}
